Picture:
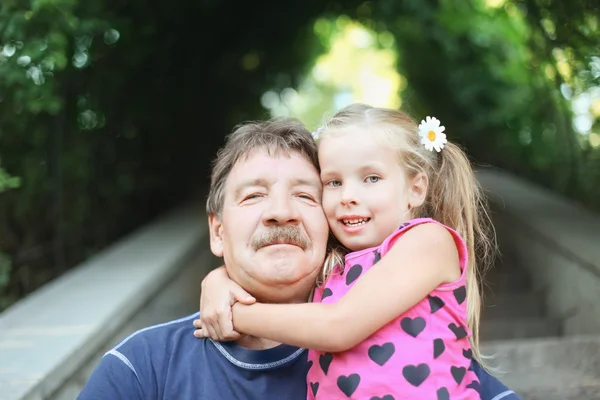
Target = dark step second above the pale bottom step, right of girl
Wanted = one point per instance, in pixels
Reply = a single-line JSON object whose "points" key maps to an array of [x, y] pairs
{"points": [[513, 305]]}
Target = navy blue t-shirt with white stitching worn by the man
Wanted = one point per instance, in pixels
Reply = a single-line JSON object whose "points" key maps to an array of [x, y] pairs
{"points": [[167, 362]]}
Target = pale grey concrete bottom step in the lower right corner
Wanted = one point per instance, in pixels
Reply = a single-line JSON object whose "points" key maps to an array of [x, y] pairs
{"points": [[565, 368]]}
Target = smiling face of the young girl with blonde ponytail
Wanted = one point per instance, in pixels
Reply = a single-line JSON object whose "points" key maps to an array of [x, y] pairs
{"points": [[365, 190]]}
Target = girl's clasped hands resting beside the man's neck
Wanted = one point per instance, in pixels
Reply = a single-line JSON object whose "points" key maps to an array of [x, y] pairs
{"points": [[218, 294]]}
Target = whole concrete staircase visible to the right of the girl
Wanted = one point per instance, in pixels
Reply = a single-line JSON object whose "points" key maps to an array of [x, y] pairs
{"points": [[530, 354]]}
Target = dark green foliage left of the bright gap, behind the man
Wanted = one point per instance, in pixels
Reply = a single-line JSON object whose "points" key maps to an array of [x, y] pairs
{"points": [[111, 110]]}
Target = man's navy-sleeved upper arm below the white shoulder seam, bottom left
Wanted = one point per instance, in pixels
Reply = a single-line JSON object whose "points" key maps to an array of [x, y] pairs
{"points": [[113, 379]]}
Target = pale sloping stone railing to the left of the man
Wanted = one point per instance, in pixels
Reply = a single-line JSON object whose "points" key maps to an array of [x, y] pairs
{"points": [[50, 341]]}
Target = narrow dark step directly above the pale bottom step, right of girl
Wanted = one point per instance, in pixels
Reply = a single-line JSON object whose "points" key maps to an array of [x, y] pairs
{"points": [[518, 328]]}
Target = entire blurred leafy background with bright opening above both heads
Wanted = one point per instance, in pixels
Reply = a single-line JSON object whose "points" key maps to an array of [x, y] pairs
{"points": [[111, 111]]}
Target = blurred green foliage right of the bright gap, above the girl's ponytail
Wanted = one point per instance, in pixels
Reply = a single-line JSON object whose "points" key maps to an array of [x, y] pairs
{"points": [[502, 77]]}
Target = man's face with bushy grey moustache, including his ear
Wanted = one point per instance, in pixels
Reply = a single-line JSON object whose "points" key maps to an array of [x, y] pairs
{"points": [[272, 232]]}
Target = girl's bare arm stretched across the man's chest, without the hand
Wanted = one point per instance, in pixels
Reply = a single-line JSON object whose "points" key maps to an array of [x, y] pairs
{"points": [[421, 259]]}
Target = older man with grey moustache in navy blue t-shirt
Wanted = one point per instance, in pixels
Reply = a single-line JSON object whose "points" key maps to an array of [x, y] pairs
{"points": [[266, 222]]}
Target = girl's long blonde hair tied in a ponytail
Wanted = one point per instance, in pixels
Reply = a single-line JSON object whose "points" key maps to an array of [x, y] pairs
{"points": [[454, 196]]}
